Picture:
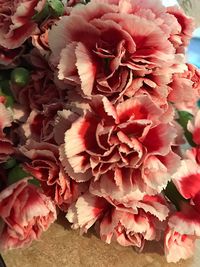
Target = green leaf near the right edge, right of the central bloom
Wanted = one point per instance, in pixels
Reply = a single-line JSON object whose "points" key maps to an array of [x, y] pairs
{"points": [[184, 117]]}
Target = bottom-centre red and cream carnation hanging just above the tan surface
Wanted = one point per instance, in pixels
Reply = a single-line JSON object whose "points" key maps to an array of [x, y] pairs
{"points": [[127, 227]]}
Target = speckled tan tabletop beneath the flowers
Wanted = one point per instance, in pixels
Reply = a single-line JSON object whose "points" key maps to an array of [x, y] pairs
{"points": [[62, 247]]}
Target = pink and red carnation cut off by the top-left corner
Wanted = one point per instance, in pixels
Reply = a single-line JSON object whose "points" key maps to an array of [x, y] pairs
{"points": [[16, 23]]}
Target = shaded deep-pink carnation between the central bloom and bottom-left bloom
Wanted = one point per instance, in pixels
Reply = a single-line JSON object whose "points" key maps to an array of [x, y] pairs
{"points": [[45, 166]]}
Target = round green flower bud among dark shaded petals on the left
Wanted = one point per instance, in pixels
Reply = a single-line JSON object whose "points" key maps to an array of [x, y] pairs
{"points": [[20, 76]]}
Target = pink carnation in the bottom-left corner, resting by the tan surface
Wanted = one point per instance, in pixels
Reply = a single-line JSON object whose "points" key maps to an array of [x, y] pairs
{"points": [[26, 213]]}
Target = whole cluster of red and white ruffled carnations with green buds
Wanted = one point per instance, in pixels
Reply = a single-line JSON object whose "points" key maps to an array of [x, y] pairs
{"points": [[99, 119]]}
